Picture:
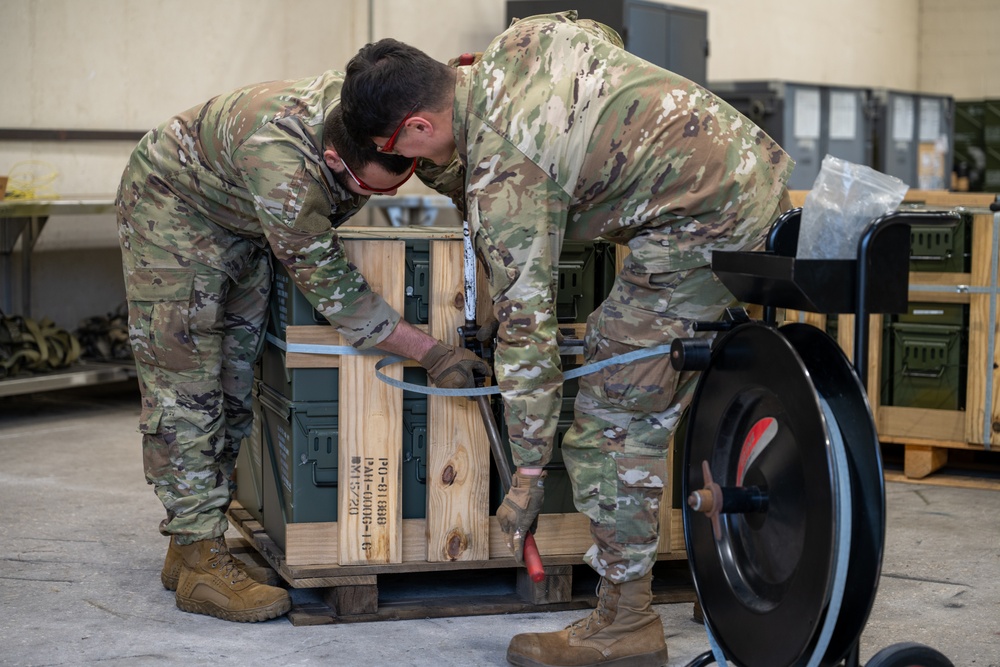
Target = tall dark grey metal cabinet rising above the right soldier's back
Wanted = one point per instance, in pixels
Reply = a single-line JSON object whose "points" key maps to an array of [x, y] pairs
{"points": [[675, 38]]}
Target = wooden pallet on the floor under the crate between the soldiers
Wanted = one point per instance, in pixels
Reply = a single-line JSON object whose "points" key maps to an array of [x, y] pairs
{"points": [[435, 590]]}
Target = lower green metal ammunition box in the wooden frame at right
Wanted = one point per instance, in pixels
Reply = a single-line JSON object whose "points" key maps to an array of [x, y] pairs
{"points": [[925, 357]]}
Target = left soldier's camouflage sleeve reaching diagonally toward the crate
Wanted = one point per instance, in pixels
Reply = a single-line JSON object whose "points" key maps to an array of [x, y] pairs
{"points": [[294, 206]]}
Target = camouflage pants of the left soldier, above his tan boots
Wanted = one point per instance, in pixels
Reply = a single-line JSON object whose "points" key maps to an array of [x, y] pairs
{"points": [[196, 332]]}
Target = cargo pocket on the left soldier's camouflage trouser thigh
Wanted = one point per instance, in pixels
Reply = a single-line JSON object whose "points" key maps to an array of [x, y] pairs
{"points": [[160, 317]]}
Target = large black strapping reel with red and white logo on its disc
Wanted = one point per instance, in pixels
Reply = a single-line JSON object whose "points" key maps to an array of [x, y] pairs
{"points": [[781, 444]]}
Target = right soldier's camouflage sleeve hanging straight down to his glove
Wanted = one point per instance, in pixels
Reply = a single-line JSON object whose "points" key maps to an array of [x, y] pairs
{"points": [[518, 215]]}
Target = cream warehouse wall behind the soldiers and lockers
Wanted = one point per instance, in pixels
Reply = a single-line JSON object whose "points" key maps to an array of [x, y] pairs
{"points": [[130, 64]]}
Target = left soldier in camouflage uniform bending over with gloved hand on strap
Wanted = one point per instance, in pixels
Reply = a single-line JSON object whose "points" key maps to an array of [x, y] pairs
{"points": [[203, 200]]}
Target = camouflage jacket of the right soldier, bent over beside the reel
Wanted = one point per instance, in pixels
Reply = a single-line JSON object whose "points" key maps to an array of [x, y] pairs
{"points": [[565, 135]]}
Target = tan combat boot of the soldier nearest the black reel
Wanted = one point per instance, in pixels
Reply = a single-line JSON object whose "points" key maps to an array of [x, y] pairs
{"points": [[622, 631]]}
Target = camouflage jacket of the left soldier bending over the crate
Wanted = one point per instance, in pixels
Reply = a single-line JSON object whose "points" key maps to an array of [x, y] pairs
{"points": [[247, 167]]}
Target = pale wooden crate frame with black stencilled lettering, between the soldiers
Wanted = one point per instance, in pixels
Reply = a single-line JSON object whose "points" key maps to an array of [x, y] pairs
{"points": [[458, 530]]}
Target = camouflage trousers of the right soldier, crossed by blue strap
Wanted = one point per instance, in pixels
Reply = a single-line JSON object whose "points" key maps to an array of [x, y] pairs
{"points": [[625, 415]]}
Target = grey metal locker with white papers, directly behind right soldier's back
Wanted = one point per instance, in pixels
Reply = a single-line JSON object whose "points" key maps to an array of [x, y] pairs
{"points": [[808, 120]]}
